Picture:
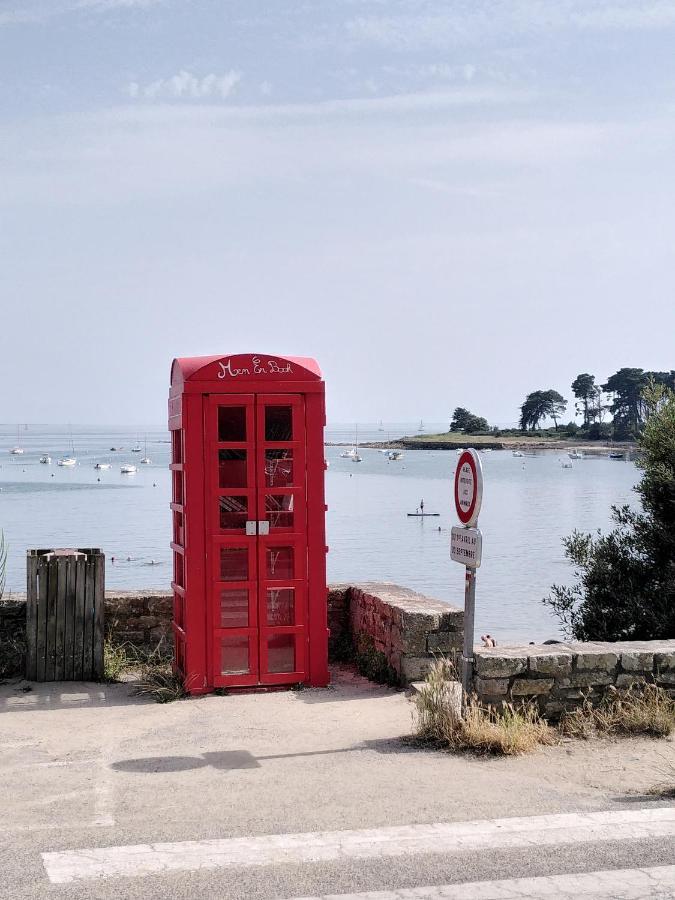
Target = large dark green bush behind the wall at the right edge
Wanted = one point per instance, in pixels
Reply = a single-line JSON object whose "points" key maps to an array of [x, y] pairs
{"points": [[626, 579]]}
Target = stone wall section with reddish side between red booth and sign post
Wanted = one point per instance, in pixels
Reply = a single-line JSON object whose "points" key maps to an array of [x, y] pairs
{"points": [[407, 627]]}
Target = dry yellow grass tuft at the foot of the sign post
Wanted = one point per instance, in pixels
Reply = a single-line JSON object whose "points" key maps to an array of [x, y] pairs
{"points": [[506, 731]]}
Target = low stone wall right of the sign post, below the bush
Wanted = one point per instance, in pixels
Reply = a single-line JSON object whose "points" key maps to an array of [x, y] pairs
{"points": [[560, 676]]}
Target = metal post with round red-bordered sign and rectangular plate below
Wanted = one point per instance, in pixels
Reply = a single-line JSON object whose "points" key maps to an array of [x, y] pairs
{"points": [[467, 547]]}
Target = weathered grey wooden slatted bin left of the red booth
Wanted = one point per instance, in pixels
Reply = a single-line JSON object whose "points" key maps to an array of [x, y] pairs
{"points": [[65, 615]]}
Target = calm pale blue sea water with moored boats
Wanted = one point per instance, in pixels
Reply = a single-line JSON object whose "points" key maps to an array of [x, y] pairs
{"points": [[529, 504]]}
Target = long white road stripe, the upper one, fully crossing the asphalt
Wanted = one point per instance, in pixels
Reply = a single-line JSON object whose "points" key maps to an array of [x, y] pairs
{"points": [[445, 837]]}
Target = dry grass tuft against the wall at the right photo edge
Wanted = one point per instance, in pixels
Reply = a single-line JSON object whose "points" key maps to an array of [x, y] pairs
{"points": [[639, 709]]}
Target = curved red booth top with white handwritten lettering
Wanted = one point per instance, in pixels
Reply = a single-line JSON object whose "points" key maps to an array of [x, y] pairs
{"points": [[228, 371]]}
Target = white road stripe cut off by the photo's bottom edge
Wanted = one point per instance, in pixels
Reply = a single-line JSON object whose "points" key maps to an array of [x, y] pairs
{"points": [[619, 884]]}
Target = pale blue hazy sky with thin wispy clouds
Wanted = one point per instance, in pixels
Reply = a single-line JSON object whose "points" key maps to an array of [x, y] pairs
{"points": [[445, 202]]}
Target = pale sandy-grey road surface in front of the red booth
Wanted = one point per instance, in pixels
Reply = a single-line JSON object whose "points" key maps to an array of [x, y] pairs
{"points": [[88, 766]]}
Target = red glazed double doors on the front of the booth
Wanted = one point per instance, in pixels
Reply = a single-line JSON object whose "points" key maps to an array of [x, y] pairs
{"points": [[256, 522]]}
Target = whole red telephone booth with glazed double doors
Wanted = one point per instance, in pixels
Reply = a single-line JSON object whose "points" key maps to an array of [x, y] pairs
{"points": [[248, 512]]}
